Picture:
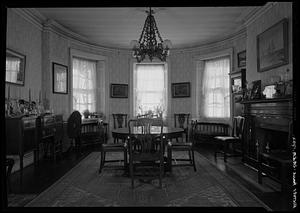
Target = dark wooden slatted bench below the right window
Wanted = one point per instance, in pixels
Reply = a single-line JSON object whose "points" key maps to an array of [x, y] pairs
{"points": [[205, 131]]}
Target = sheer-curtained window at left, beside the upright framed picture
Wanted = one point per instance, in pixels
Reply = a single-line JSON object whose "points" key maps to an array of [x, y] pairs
{"points": [[84, 84]]}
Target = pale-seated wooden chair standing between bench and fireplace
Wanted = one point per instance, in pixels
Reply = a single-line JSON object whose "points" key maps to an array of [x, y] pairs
{"points": [[222, 143]]}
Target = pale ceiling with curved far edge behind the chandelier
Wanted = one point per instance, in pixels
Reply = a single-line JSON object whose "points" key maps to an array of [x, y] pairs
{"points": [[184, 26]]}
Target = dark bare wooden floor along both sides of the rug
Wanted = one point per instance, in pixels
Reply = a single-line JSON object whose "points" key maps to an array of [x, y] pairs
{"points": [[37, 179]]}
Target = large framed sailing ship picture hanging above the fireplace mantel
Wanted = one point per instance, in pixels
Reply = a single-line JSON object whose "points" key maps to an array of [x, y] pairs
{"points": [[272, 47]]}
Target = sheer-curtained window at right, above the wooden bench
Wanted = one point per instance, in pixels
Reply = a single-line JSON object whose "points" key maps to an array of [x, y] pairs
{"points": [[215, 88]]}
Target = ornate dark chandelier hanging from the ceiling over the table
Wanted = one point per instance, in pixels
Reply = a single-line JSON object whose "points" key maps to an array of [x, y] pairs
{"points": [[148, 43]]}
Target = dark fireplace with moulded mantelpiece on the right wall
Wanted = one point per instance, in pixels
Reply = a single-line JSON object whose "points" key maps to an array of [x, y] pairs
{"points": [[267, 127]]}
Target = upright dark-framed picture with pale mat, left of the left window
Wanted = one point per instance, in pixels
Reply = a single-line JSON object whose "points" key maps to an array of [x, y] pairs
{"points": [[59, 78]]}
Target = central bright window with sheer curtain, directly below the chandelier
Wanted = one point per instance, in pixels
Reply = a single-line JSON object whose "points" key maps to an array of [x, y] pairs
{"points": [[150, 88]]}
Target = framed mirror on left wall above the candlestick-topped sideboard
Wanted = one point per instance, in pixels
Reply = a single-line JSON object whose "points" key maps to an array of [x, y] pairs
{"points": [[15, 67]]}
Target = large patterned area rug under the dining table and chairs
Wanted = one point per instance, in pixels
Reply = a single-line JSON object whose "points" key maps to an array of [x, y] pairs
{"points": [[83, 186]]}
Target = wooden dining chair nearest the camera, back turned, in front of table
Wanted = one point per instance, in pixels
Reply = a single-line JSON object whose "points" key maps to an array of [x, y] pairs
{"points": [[146, 150]]}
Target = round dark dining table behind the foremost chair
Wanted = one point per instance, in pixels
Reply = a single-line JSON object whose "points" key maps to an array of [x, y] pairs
{"points": [[168, 132]]}
